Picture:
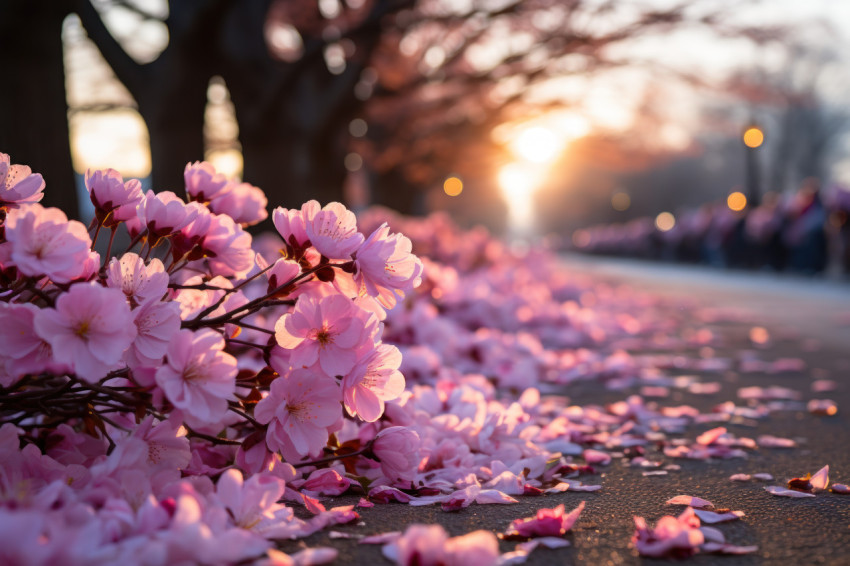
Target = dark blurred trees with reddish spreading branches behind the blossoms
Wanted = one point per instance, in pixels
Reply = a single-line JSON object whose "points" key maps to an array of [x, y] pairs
{"points": [[431, 78]]}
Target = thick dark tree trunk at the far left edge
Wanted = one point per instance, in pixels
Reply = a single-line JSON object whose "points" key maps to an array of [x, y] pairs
{"points": [[33, 106]]}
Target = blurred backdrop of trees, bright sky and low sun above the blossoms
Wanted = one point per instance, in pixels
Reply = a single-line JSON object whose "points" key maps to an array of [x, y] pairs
{"points": [[539, 114]]}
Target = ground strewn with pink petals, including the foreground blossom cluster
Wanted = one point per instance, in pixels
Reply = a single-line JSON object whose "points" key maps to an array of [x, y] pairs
{"points": [[383, 389]]}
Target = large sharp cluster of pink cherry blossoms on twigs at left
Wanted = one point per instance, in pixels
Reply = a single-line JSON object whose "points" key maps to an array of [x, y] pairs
{"points": [[129, 379]]}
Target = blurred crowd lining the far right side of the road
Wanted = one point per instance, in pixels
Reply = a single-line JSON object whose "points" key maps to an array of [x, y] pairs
{"points": [[805, 232]]}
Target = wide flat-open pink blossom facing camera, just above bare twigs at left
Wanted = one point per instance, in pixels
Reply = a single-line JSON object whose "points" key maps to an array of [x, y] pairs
{"points": [[89, 329]]}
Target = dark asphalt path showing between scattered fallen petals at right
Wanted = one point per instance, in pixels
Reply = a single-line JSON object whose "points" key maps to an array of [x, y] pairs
{"points": [[805, 318]]}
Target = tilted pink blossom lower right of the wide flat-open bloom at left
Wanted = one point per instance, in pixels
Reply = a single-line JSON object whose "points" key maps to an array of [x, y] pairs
{"points": [[198, 377]]}
